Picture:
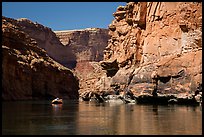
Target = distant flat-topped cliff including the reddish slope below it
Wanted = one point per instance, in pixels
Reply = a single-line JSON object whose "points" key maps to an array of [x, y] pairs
{"points": [[88, 46]]}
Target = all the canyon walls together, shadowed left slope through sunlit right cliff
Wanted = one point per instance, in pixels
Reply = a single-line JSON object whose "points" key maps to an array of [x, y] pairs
{"points": [[147, 45]]}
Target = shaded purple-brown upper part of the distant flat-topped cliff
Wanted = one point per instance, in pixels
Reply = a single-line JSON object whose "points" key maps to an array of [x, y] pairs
{"points": [[87, 44]]}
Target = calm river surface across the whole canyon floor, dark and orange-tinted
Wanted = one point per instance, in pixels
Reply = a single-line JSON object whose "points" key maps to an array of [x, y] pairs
{"points": [[89, 118]]}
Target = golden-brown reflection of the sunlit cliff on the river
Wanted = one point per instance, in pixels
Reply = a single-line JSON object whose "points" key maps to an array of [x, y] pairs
{"points": [[139, 119]]}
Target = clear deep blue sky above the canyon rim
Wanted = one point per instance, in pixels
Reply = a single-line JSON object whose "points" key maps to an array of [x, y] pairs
{"points": [[63, 15]]}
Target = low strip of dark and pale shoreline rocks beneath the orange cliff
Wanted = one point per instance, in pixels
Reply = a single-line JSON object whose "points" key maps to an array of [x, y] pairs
{"points": [[144, 98]]}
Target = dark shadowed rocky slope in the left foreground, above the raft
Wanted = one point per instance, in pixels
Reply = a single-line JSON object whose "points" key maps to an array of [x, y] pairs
{"points": [[27, 70]]}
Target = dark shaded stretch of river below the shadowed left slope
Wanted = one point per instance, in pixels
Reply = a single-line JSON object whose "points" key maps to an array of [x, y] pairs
{"points": [[38, 118]]}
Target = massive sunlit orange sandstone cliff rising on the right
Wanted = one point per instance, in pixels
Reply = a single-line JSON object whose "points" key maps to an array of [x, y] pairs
{"points": [[156, 45]]}
